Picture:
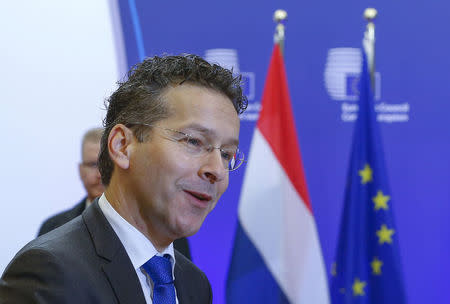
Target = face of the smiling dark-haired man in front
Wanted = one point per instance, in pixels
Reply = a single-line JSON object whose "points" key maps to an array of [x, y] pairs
{"points": [[175, 190]]}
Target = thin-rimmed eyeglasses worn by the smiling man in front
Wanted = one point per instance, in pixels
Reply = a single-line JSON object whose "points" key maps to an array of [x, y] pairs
{"points": [[197, 146]]}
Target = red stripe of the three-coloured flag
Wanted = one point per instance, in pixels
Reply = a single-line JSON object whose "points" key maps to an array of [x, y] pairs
{"points": [[276, 124]]}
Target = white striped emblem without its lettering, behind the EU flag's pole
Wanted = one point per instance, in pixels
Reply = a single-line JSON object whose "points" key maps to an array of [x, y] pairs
{"points": [[342, 71]]}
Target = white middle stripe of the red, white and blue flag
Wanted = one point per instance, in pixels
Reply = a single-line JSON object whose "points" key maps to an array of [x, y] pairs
{"points": [[281, 227]]}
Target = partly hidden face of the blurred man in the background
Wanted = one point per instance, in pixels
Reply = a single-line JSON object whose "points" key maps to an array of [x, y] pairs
{"points": [[90, 176]]}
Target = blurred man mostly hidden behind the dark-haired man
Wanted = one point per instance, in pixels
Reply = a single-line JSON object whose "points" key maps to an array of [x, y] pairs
{"points": [[90, 176]]}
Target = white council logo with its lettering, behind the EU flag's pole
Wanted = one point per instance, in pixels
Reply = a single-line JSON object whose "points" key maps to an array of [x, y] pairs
{"points": [[341, 79]]}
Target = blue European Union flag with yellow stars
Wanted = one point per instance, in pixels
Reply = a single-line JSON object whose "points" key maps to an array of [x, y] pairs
{"points": [[367, 267]]}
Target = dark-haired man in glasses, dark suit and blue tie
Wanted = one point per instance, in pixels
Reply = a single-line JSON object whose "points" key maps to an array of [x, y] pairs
{"points": [[171, 138]]}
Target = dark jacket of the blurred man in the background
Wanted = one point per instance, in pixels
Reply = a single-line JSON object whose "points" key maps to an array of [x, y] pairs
{"points": [[182, 245]]}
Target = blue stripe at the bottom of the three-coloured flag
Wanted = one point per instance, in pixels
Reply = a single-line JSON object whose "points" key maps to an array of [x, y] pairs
{"points": [[249, 280]]}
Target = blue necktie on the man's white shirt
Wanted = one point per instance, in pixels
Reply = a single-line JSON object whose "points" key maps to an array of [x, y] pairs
{"points": [[160, 270]]}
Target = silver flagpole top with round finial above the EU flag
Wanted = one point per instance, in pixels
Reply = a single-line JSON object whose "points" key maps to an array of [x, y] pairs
{"points": [[369, 41]]}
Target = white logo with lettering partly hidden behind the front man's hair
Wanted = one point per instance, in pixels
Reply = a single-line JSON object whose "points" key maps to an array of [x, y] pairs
{"points": [[228, 58]]}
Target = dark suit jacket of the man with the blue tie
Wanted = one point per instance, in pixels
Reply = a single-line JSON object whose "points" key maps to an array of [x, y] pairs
{"points": [[84, 261]]}
